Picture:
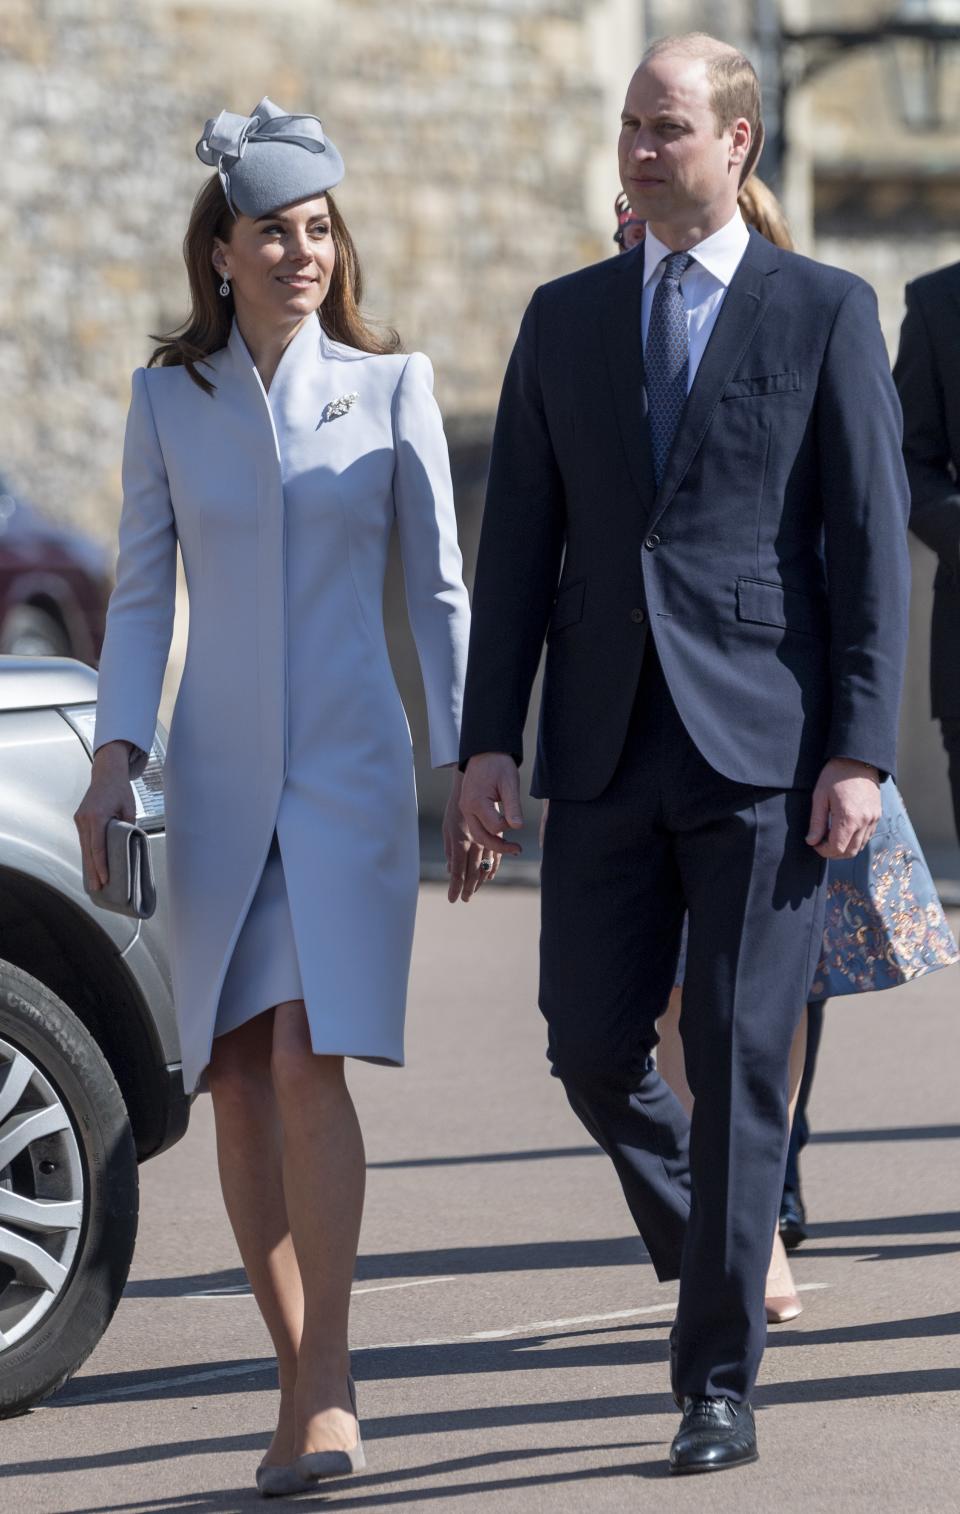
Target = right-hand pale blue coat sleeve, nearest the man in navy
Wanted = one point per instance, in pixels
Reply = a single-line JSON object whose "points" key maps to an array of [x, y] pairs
{"points": [[438, 606]]}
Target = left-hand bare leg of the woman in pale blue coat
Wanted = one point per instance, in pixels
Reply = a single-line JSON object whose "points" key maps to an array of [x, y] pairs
{"points": [[251, 1157]]}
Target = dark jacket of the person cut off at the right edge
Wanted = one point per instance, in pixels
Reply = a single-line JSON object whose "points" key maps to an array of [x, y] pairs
{"points": [[927, 375]]}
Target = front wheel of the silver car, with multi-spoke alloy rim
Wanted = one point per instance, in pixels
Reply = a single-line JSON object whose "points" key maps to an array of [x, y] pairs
{"points": [[69, 1192]]}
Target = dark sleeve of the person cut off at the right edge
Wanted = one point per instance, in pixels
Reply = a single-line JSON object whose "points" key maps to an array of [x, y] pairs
{"points": [[935, 514]]}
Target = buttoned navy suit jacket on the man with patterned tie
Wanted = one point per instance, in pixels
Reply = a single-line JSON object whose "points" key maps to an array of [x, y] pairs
{"points": [[770, 567]]}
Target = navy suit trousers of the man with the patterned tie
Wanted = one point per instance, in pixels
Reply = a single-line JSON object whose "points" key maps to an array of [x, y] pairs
{"points": [[669, 836]]}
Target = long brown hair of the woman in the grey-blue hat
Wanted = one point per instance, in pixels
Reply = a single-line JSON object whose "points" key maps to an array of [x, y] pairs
{"points": [[211, 316]]}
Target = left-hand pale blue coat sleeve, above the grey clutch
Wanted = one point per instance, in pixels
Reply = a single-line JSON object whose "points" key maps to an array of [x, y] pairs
{"points": [[142, 609]]}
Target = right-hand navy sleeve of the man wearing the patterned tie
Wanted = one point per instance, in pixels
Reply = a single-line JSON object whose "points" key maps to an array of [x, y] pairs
{"points": [[867, 505]]}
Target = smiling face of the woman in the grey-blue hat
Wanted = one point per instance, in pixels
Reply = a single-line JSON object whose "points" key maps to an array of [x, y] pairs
{"points": [[281, 266]]}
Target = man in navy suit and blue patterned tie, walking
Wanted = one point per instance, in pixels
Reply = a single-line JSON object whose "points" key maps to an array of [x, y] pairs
{"points": [[697, 497]]}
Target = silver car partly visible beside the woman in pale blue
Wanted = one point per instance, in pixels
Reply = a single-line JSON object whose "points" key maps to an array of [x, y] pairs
{"points": [[90, 1065]]}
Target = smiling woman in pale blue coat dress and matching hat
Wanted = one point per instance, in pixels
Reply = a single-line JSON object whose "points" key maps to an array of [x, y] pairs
{"points": [[279, 441]]}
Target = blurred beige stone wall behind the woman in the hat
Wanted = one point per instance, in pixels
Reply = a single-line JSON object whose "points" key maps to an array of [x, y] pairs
{"points": [[466, 125]]}
